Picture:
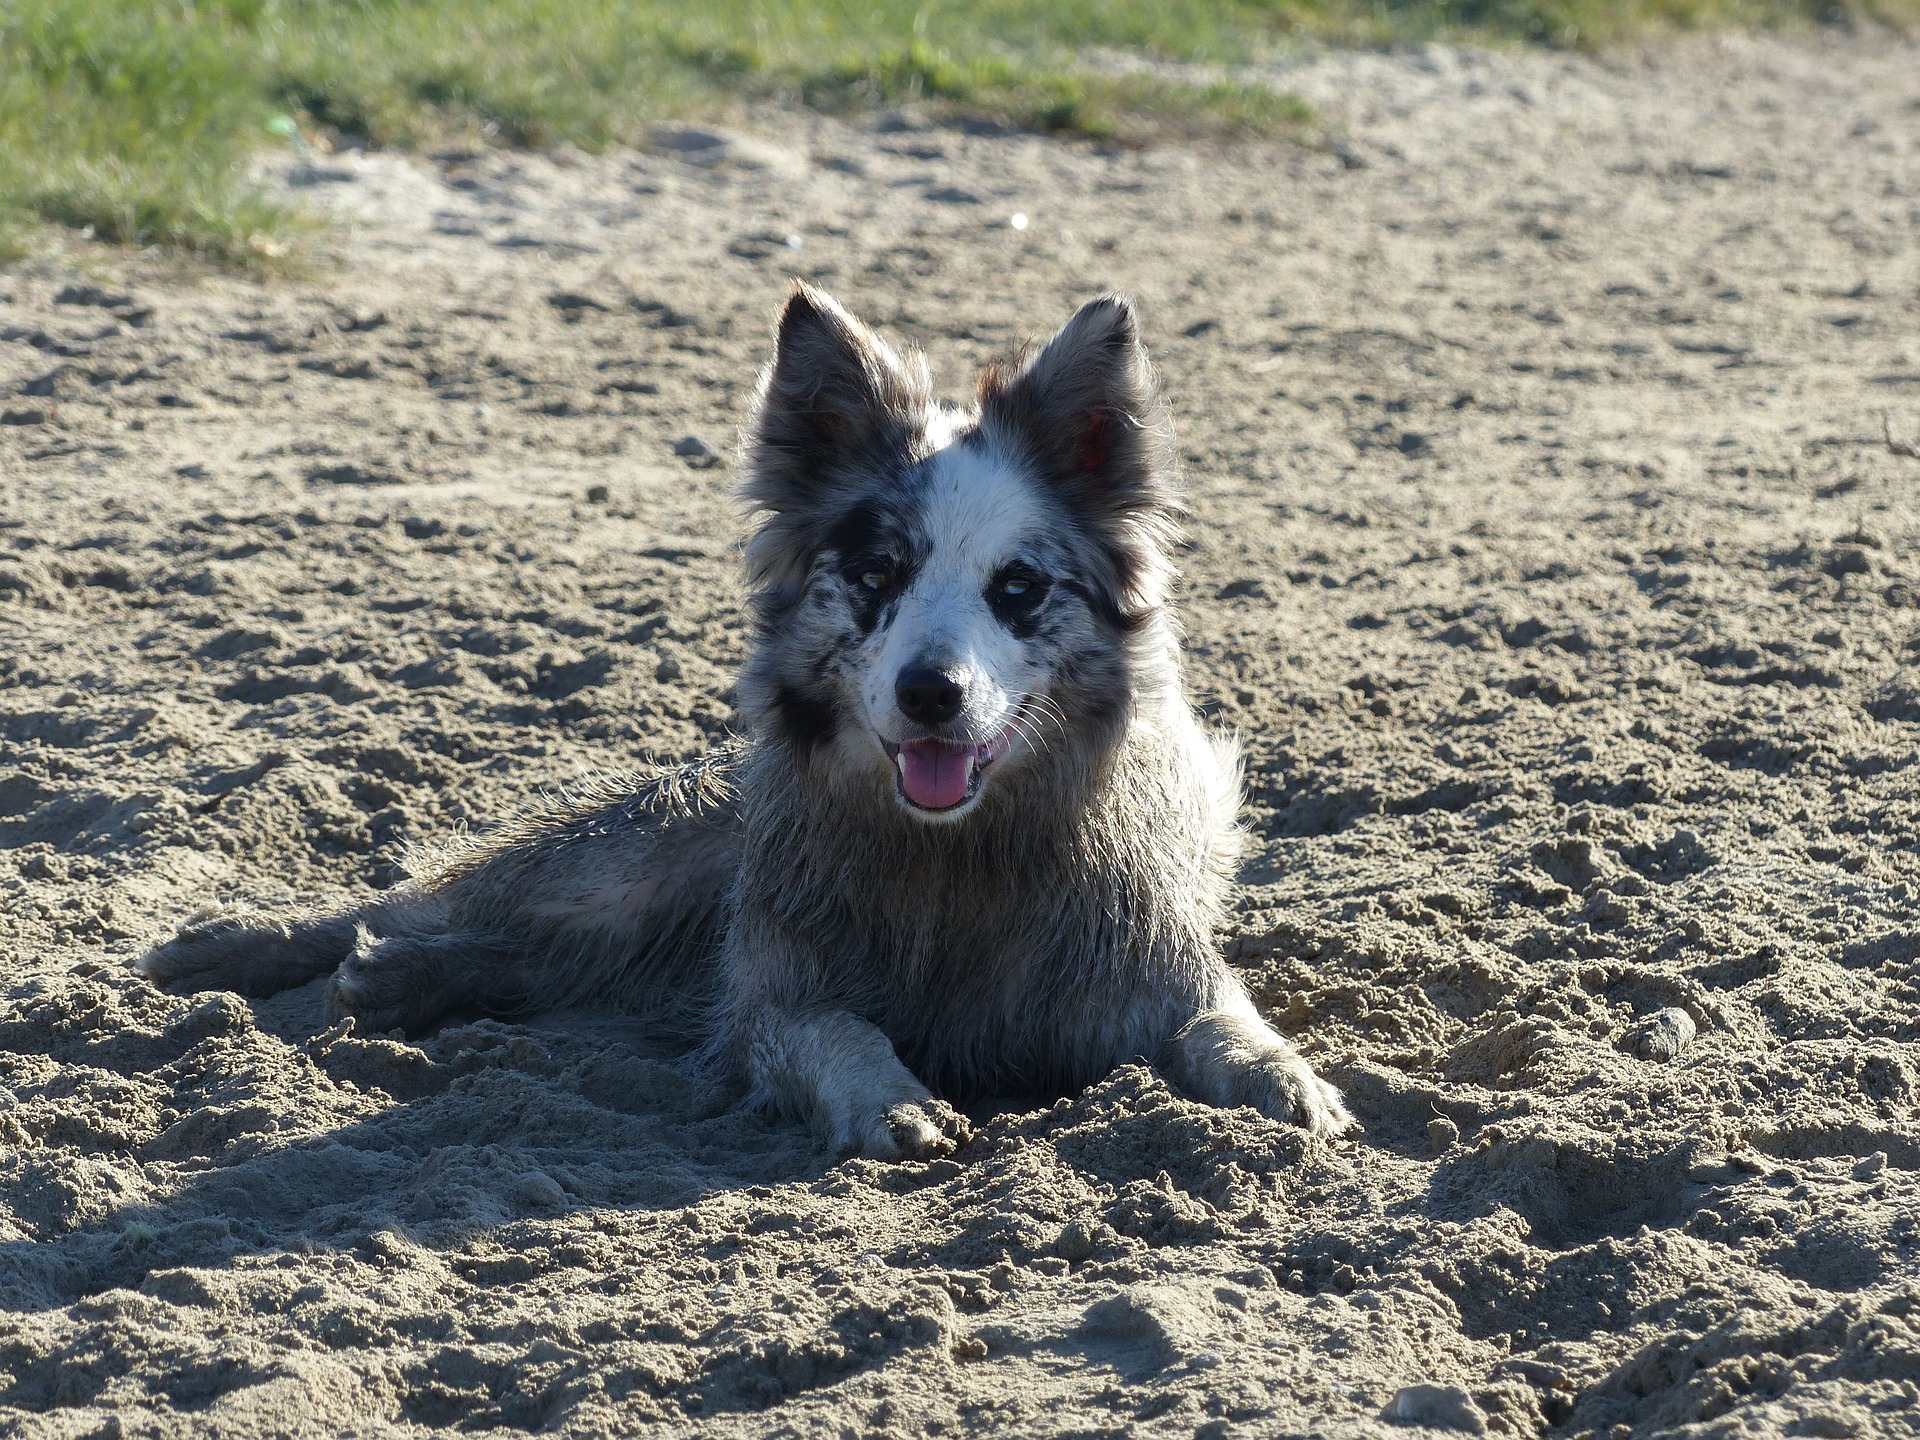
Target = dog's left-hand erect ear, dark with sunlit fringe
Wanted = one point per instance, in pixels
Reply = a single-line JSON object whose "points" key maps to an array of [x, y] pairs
{"points": [[834, 400]]}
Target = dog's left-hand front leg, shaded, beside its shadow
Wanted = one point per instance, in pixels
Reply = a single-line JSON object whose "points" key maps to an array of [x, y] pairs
{"points": [[842, 1076]]}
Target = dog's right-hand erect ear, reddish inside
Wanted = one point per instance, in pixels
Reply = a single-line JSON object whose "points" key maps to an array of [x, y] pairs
{"points": [[1088, 414]]}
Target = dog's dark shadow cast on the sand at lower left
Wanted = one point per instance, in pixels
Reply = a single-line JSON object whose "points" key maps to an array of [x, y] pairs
{"points": [[281, 1132]]}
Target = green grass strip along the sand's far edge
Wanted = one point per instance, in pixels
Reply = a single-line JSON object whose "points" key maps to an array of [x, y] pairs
{"points": [[135, 120]]}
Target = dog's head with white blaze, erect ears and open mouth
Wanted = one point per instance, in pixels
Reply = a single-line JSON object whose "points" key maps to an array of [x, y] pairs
{"points": [[946, 594]]}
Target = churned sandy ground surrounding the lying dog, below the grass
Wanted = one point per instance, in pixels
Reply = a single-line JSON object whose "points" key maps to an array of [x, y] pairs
{"points": [[1545, 552]]}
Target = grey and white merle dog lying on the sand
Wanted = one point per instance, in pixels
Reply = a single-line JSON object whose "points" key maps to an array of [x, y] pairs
{"points": [[974, 840]]}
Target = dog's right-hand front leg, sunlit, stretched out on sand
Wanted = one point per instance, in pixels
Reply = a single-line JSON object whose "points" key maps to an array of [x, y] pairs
{"points": [[1232, 1057]]}
